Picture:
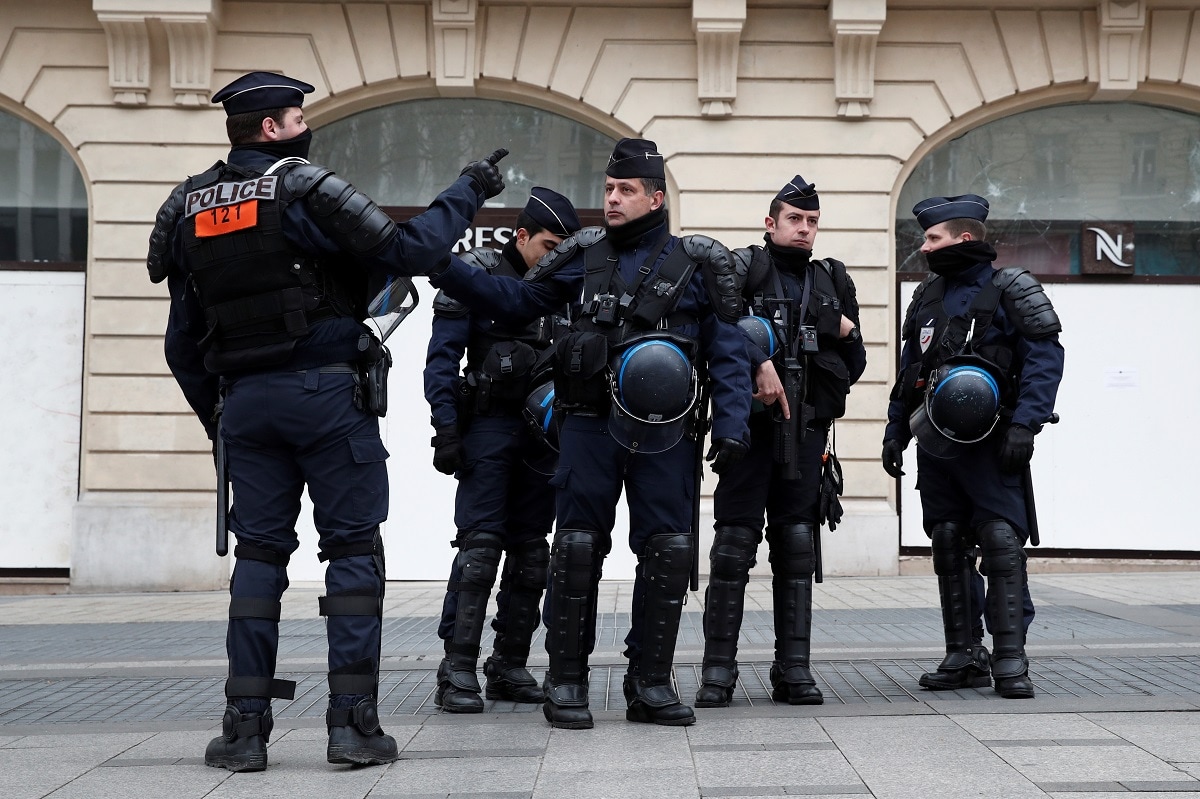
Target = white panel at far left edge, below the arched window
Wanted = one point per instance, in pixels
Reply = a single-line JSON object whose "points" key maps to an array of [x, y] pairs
{"points": [[41, 359]]}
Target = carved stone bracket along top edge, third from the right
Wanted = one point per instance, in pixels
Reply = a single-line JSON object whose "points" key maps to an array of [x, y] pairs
{"points": [[718, 26]]}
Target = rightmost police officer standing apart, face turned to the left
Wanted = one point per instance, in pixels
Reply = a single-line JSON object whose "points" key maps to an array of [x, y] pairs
{"points": [[975, 329]]}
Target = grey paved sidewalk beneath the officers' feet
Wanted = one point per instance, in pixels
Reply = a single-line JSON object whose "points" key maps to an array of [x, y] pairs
{"points": [[117, 696]]}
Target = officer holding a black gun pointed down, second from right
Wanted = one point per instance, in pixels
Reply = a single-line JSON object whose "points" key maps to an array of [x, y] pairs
{"points": [[813, 308]]}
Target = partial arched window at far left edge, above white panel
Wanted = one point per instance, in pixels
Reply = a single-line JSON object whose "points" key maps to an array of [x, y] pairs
{"points": [[44, 207]]}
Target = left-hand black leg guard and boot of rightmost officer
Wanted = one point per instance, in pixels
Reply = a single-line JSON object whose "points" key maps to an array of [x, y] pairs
{"points": [[967, 663]]}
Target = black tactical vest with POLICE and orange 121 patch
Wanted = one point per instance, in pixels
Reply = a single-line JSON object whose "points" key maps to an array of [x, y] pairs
{"points": [[259, 292]]}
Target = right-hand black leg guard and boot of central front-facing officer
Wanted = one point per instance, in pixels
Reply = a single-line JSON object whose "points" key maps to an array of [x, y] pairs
{"points": [[667, 567]]}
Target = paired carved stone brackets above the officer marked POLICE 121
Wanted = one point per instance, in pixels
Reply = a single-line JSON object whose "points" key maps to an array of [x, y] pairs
{"points": [[191, 33]]}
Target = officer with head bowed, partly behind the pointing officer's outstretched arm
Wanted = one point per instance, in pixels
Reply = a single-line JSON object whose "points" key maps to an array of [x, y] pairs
{"points": [[505, 504]]}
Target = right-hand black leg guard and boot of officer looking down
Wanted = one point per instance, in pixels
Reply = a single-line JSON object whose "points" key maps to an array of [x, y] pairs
{"points": [[523, 584]]}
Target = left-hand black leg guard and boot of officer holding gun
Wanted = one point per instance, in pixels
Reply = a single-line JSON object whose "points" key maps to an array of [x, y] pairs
{"points": [[730, 562]]}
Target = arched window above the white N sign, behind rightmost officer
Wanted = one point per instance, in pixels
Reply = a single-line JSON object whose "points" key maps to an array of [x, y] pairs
{"points": [[1099, 189]]}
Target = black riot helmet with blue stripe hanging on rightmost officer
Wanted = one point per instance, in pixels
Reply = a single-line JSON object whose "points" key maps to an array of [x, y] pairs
{"points": [[962, 407]]}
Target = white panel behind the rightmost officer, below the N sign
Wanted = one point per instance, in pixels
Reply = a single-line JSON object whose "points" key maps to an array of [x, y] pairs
{"points": [[1118, 471]]}
